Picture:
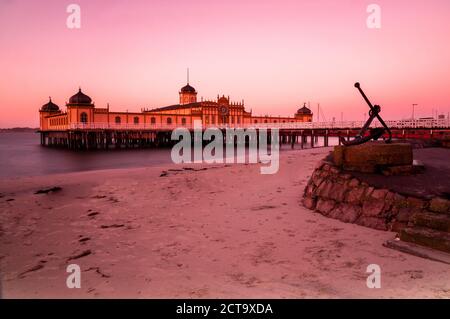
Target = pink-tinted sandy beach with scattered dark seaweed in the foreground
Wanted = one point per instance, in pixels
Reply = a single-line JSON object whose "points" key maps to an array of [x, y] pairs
{"points": [[215, 231]]}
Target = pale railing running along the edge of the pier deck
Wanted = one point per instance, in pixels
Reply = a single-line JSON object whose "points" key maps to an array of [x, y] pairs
{"points": [[399, 124]]}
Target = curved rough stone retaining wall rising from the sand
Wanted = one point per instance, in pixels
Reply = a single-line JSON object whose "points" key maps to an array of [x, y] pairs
{"points": [[337, 194]]}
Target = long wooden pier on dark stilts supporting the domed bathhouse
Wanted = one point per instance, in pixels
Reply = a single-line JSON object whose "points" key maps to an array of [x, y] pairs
{"points": [[92, 137]]}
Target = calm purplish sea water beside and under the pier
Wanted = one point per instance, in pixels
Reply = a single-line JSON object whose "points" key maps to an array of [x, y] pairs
{"points": [[22, 155]]}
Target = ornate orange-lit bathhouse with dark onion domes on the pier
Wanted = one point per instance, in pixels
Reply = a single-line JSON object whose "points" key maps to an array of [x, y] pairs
{"points": [[81, 110]]}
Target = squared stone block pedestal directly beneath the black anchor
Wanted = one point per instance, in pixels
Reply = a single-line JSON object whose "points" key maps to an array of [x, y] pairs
{"points": [[373, 156]]}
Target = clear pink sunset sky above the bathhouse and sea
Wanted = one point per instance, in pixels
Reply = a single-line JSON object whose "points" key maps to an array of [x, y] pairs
{"points": [[274, 54]]}
